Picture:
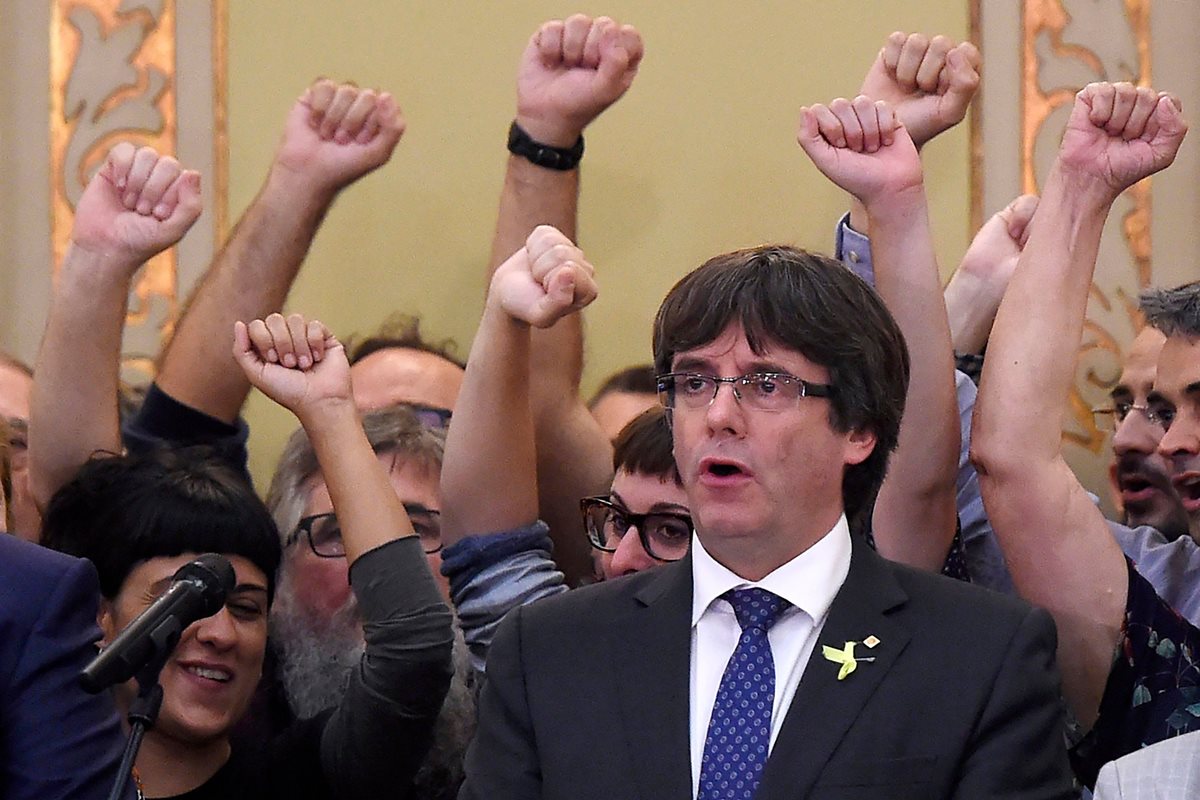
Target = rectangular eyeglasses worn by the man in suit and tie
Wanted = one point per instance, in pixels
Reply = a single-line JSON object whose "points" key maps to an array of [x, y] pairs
{"points": [[763, 392]]}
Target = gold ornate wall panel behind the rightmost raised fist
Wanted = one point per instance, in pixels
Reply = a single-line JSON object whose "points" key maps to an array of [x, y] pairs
{"points": [[1037, 56]]}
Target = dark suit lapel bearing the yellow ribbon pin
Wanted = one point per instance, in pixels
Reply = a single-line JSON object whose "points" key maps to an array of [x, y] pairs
{"points": [[825, 708]]}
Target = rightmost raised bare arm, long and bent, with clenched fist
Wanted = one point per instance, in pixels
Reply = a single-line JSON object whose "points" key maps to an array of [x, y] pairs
{"points": [[1058, 546]]}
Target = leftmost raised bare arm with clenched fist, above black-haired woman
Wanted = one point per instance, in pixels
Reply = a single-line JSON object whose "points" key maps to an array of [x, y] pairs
{"points": [[139, 204]]}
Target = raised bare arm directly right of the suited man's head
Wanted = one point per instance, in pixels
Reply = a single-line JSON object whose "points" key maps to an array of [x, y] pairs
{"points": [[862, 147]]}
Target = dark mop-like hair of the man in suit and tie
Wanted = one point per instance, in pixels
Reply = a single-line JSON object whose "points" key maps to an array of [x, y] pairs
{"points": [[811, 304]]}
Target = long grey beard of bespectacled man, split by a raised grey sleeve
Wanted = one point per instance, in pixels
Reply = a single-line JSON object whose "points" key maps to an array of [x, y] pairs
{"points": [[316, 663]]}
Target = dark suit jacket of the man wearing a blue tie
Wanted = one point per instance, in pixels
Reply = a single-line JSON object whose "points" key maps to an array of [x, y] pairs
{"points": [[587, 696]]}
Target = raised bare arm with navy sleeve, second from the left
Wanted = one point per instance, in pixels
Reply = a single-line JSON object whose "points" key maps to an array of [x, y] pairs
{"points": [[334, 136]]}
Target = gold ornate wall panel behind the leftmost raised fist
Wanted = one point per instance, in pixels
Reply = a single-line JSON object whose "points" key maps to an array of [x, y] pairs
{"points": [[151, 73]]}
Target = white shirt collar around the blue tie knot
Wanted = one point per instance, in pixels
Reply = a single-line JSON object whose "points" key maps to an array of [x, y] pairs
{"points": [[809, 582]]}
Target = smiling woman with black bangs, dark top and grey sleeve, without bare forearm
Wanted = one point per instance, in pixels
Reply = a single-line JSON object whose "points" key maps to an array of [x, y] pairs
{"points": [[140, 519]]}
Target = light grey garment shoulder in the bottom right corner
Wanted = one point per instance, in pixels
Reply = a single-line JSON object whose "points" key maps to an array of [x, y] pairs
{"points": [[1169, 771]]}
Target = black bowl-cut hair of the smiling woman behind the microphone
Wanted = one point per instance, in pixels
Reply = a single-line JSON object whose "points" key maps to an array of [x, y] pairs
{"points": [[119, 512]]}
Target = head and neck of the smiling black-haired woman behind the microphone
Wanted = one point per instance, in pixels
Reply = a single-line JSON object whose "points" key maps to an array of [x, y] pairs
{"points": [[172, 507]]}
